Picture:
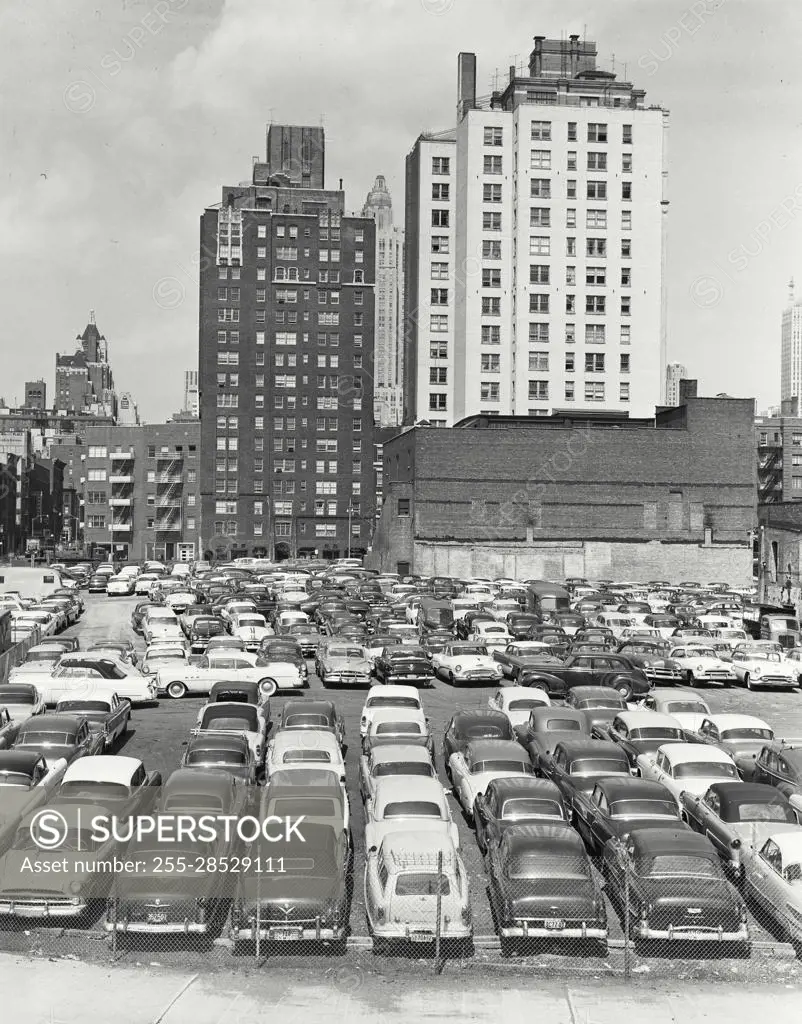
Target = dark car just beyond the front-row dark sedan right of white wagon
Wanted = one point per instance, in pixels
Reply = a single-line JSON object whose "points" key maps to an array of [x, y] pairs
{"points": [[516, 800]]}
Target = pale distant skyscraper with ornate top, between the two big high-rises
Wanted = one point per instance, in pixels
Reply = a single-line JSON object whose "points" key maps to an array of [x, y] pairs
{"points": [[389, 368]]}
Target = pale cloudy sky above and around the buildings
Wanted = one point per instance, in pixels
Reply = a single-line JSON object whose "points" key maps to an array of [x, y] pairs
{"points": [[123, 118]]}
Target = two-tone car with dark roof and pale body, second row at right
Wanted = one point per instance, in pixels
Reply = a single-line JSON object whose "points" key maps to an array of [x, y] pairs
{"points": [[737, 817]]}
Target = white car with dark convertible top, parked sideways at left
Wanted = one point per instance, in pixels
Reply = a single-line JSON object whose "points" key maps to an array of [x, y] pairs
{"points": [[78, 673]]}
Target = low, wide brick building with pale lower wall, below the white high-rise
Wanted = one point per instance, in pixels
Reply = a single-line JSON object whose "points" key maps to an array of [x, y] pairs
{"points": [[673, 497]]}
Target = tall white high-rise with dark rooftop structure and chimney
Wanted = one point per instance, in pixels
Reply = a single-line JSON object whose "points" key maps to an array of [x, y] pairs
{"points": [[535, 264]]}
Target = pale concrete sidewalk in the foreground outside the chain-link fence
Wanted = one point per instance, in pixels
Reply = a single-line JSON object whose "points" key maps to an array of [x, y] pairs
{"points": [[36, 992]]}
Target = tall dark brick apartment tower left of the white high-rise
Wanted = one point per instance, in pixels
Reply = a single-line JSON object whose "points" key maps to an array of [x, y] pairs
{"points": [[286, 362]]}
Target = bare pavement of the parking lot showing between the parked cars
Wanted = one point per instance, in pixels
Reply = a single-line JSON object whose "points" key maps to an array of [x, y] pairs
{"points": [[158, 734]]}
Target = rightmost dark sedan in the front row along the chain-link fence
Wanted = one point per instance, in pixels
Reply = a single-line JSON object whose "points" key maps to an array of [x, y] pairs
{"points": [[677, 887]]}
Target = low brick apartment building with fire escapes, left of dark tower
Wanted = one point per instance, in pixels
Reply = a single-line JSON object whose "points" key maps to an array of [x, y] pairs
{"points": [[138, 491]]}
